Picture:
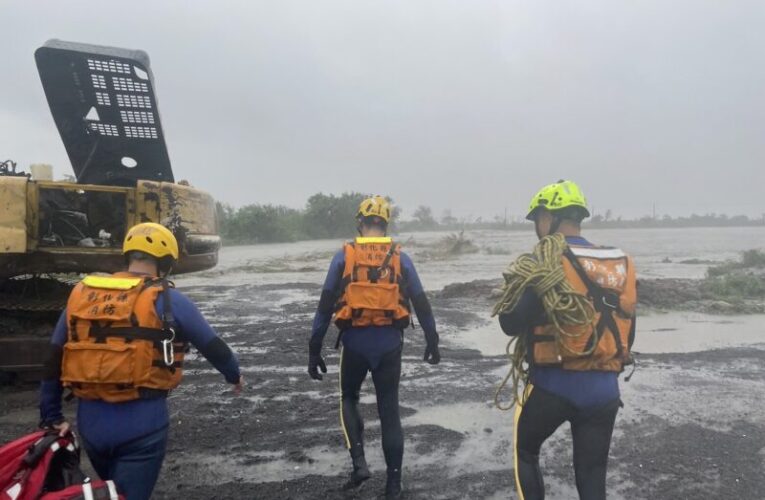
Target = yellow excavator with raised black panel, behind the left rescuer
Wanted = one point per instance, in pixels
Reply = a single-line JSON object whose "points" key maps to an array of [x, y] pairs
{"points": [[105, 108]]}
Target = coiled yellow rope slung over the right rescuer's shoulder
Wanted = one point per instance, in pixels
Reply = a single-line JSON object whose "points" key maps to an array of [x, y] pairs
{"points": [[542, 271]]}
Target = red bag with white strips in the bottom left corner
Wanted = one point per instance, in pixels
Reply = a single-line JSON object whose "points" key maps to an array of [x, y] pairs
{"points": [[45, 466]]}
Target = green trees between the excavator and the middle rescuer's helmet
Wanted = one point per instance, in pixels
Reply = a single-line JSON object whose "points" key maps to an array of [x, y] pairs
{"points": [[324, 216]]}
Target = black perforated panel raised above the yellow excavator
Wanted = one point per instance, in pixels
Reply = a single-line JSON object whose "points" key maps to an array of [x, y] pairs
{"points": [[103, 103]]}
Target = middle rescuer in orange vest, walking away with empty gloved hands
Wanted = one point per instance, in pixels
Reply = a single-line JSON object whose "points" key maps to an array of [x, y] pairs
{"points": [[369, 288]]}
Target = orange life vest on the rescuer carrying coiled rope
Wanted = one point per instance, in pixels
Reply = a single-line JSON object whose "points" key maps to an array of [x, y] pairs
{"points": [[607, 277]]}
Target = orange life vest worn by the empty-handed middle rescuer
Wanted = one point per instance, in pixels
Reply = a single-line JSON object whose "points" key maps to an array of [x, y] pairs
{"points": [[372, 287]]}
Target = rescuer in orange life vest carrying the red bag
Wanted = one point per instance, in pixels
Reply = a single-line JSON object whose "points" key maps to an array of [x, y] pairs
{"points": [[119, 347]]}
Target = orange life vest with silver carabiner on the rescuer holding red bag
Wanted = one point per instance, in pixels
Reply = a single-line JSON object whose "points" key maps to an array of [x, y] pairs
{"points": [[118, 348]]}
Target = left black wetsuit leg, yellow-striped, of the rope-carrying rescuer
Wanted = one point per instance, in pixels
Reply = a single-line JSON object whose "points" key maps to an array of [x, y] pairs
{"points": [[535, 421]]}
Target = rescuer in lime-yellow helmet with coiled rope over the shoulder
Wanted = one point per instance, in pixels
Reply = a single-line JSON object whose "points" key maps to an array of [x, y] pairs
{"points": [[573, 375]]}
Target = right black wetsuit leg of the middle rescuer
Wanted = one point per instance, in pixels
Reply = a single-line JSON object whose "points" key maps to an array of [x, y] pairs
{"points": [[386, 378]]}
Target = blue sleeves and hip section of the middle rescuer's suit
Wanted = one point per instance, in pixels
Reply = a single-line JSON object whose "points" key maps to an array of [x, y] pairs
{"points": [[372, 341]]}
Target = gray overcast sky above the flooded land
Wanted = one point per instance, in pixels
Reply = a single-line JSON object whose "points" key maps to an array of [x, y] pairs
{"points": [[471, 104]]}
